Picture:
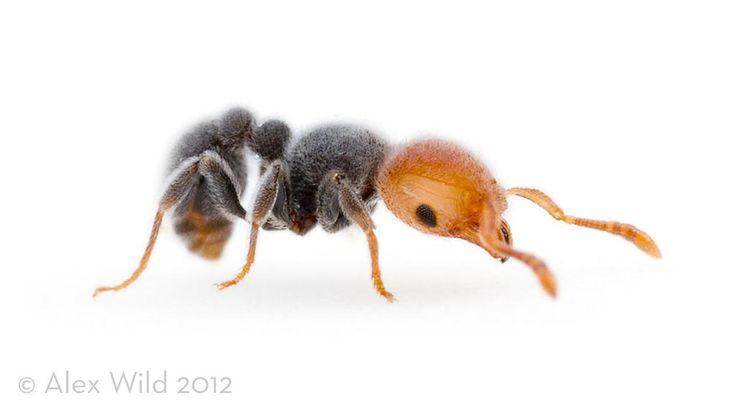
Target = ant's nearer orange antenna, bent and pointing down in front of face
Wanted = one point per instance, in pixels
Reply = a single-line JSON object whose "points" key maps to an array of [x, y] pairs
{"points": [[489, 241]]}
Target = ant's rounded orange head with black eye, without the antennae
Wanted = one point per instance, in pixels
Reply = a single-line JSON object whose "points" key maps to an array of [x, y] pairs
{"points": [[439, 188]]}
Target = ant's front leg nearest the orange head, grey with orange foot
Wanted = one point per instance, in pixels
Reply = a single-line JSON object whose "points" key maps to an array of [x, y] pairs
{"points": [[354, 208]]}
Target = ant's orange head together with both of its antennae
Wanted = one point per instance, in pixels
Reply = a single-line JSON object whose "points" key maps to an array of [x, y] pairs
{"points": [[466, 202]]}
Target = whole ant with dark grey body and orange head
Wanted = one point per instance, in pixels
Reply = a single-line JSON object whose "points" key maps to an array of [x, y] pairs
{"points": [[333, 176]]}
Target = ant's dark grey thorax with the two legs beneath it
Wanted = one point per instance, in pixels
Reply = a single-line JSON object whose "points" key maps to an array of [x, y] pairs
{"points": [[325, 177]]}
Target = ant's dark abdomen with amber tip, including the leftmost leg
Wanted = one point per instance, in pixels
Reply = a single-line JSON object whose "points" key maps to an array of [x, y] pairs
{"points": [[207, 176]]}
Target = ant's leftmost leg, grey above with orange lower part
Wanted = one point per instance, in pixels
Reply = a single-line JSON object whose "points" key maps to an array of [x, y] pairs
{"points": [[180, 183]]}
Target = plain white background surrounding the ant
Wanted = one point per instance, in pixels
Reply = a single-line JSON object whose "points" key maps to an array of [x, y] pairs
{"points": [[620, 110]]}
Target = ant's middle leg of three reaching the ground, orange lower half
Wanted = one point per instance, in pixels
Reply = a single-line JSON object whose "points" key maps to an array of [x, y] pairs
{"points": [[265, 199]]}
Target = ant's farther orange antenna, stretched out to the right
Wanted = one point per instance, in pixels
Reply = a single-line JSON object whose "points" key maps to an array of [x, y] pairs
{"points": [[629, 232]]}
